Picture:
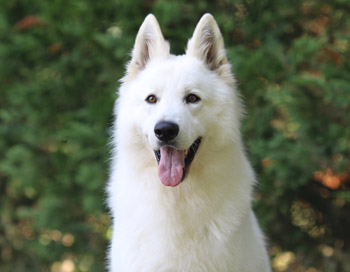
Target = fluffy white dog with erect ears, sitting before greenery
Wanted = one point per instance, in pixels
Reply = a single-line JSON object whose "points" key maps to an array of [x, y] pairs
{"points": [[180, 189]]}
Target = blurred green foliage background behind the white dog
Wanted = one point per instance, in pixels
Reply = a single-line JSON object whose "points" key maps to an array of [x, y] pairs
{"points": [[59, 66]]}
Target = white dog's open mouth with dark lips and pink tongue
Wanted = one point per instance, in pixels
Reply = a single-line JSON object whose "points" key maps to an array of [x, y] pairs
{"points": [[173, 164]]}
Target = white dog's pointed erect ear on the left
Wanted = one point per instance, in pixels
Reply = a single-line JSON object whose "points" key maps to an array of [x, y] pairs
{"points": [[149, 44]]}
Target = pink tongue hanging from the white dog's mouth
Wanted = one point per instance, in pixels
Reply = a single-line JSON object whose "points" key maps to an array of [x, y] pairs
{"points": [[171, 166]]}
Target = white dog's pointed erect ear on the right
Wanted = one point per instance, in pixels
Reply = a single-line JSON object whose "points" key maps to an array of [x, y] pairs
{"points": [[207, 44]]}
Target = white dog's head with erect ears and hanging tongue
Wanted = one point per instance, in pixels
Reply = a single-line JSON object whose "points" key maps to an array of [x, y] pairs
{"points": [[179, 105]]}
